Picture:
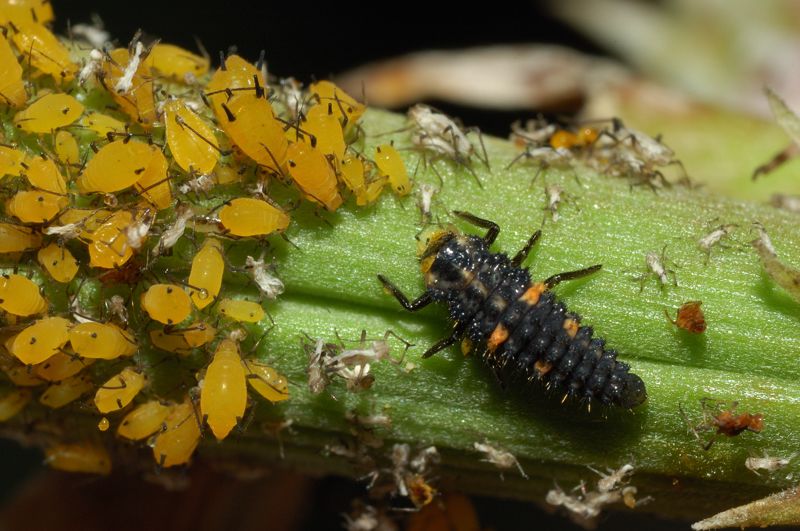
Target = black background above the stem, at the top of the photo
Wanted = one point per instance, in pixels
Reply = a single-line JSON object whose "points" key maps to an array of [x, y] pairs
{"points": [[316, 41]]}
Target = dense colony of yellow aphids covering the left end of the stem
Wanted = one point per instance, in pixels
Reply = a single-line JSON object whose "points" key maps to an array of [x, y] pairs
{"points": [[106, 173]]}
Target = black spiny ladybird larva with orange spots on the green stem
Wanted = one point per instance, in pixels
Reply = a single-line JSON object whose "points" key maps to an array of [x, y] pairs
{"points": [[515, 325]]}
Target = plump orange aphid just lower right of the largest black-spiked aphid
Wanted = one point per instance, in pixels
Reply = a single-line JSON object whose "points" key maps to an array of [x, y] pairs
{"points": [[313, 174]]}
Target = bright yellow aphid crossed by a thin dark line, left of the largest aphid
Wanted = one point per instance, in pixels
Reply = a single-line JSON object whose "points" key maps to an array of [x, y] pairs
{"points": [[191, 141]]}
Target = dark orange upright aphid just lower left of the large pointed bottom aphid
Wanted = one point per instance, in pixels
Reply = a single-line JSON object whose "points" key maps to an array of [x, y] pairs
{"points": [[175, 445]]}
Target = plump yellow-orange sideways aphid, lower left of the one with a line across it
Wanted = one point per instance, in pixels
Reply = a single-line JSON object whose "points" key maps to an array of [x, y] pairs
{"points": [[116, 166]]}
